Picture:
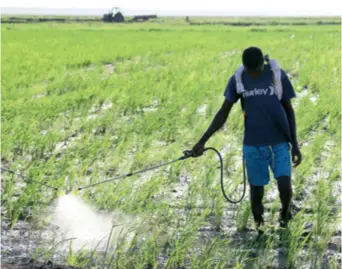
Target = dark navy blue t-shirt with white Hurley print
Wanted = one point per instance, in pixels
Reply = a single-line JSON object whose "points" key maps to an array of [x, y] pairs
{"points": [[266, 121]]}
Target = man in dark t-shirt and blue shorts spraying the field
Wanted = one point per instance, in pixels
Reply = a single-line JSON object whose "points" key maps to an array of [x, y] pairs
{"points": [[270, 129]]}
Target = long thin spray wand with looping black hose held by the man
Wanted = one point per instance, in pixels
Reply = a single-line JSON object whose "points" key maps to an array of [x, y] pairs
{"points": [[187, 154]]}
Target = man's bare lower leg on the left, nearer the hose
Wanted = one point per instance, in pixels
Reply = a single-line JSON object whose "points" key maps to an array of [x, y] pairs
{"points": [[257, 193]]}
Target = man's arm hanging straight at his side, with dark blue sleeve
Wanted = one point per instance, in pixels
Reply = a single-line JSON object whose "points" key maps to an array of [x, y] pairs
{"points": [[288, 93]]}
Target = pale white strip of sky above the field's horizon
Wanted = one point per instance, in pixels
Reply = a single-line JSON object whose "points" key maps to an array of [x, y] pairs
{"points": [[184, 7]]}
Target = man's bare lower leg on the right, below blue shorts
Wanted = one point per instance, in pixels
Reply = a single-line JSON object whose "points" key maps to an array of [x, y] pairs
{"points": [[285, 192]]}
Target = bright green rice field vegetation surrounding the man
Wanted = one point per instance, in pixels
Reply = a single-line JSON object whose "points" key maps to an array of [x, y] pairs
{"points": [[80, 99]]}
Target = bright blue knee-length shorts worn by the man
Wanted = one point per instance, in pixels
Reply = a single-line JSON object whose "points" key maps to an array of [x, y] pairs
{"points": [[260, 159]]}
